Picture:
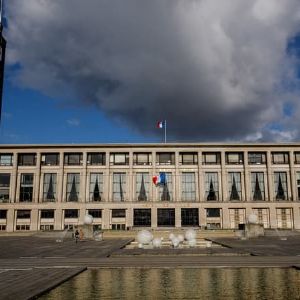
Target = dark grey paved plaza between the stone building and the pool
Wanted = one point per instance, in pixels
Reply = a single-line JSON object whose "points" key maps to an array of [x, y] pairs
{"points": [[37, 264]]}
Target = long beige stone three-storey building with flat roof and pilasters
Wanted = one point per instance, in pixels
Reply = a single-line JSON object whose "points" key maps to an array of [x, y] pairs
{"points": [[53, 187]]}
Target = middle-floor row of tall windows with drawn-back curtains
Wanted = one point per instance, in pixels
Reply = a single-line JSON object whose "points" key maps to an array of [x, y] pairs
{"points": [[143, 183]]}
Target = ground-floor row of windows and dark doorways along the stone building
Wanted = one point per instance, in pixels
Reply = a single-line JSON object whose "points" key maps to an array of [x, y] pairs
{"points": [[165, 217]]}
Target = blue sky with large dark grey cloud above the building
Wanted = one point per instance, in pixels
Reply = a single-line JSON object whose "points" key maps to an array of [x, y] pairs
{"points": [[105, 71]]}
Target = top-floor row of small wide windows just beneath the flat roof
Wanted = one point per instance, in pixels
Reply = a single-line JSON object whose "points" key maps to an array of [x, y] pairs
{"points": [[162, 158]]}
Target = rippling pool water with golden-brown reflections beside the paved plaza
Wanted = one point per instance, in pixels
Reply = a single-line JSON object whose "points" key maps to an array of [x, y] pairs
{"points": [[244, 283]]}
